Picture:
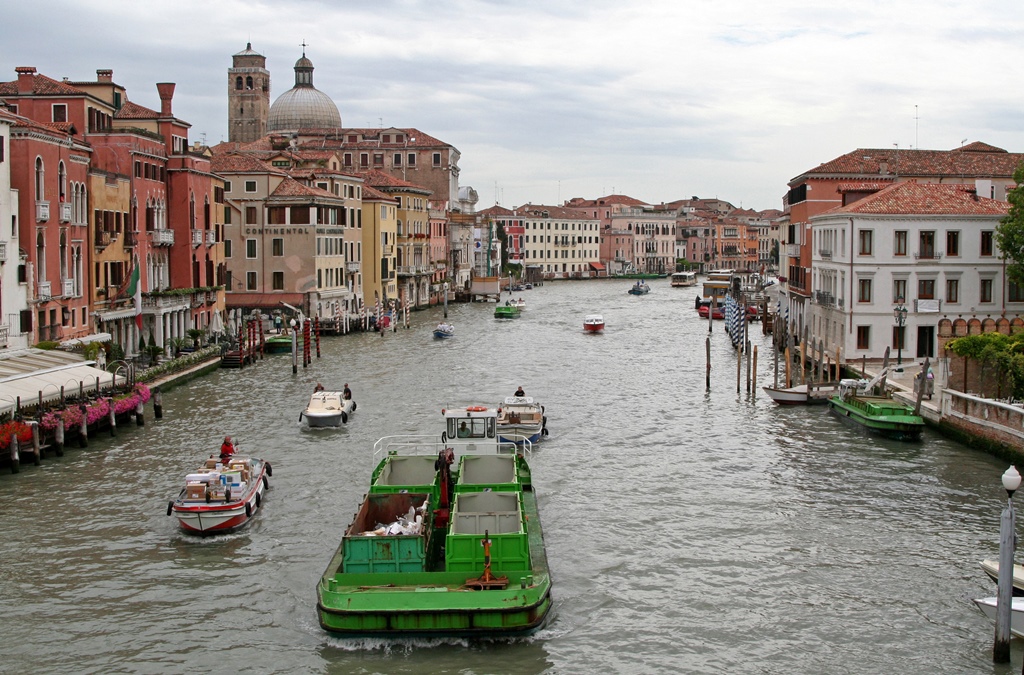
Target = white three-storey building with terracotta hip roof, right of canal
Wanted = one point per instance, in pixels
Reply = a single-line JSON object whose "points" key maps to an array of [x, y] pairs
{"points": [[929, 247]]}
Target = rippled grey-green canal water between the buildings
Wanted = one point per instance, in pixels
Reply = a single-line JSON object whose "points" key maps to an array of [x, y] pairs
{"points": [[688, 531]]}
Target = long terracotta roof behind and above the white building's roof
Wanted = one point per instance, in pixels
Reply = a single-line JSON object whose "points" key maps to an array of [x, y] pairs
{"points": [[984, 162]]}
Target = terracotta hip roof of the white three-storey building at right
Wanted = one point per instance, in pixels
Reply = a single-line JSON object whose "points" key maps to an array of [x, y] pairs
{"points": [[926, 199]]}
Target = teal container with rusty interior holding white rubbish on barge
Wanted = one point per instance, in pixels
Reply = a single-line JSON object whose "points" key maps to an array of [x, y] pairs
{"points": [[387, 554]]}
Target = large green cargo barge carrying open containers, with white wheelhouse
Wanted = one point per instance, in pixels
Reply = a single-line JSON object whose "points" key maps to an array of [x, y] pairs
{"points": [[474, 562]]}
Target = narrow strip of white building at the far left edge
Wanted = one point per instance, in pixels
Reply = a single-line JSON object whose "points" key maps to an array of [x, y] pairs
{"points": [[14, 299]]}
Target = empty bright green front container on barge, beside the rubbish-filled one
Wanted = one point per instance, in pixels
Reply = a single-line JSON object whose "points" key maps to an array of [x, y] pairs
{"points": [[500, 516]]}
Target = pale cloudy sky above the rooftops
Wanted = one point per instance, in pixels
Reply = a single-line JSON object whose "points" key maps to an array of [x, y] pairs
{"points": [[550, 100]]}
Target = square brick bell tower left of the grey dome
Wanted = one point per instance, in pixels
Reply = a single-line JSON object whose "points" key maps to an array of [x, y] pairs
{"points": [[248, 97]]}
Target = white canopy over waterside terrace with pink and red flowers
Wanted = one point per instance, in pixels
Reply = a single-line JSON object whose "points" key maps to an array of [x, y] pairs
{"points": [[26, 373]]}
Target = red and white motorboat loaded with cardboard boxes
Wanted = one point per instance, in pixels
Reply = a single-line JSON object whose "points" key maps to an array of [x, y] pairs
{"points": [[222, 496]]}
